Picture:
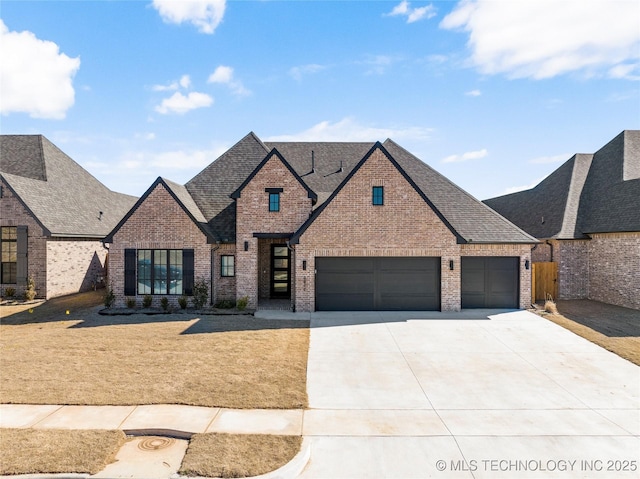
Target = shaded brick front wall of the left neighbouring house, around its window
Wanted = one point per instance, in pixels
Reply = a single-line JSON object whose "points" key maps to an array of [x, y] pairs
{"points": [[13, 213]]}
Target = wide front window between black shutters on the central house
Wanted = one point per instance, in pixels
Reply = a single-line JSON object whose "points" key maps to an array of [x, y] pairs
{"points": [[160, 271]]}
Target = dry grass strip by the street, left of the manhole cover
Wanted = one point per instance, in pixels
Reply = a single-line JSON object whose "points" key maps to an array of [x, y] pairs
{"points": [[32, 451]]}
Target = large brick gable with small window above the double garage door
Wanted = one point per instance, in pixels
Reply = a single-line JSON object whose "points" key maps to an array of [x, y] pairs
{"points": [[350, 217]]}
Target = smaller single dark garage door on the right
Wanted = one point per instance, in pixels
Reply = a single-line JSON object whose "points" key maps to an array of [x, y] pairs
{"points": [[490, 282]]}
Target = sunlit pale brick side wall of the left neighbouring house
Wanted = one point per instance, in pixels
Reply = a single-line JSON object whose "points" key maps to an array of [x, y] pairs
{"points": [[74, 266]]}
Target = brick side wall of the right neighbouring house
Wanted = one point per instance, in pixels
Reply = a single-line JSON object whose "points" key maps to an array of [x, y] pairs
{"points": [[614, 268]]}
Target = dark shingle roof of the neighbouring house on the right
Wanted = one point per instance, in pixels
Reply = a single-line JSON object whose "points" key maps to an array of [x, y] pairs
{"points": [[589, 193]]}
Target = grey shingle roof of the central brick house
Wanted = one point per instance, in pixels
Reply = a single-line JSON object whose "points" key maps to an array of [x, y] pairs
{"points": [[323, 168]]}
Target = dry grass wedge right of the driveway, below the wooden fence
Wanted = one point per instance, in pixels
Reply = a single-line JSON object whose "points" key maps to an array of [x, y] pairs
{"points": [[611, 327]]}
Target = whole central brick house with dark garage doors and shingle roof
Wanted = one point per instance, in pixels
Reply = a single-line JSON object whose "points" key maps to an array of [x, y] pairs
{"points": [[321, 226]]}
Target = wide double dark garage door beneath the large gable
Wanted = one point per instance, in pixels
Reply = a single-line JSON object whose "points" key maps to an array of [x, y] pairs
{"points": [[384, 284]]}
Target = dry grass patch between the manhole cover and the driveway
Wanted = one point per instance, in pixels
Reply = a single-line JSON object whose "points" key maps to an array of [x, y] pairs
{"points": [[227, 455]]}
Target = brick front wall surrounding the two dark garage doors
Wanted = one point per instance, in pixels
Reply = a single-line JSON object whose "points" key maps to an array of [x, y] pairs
{"points": [[404, 226]]}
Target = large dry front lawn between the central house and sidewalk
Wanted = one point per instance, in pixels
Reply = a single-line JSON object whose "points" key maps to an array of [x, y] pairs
{"points": [[86, 358]]}
